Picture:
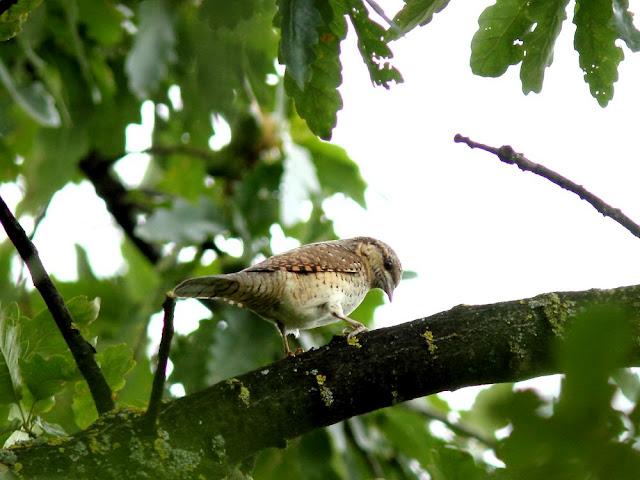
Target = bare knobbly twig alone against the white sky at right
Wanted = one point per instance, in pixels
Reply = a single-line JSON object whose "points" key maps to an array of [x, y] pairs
{"points": [[506, 154]]}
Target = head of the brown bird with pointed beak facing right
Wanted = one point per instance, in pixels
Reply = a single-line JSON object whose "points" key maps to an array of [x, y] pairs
{"points": [[383, 262]]}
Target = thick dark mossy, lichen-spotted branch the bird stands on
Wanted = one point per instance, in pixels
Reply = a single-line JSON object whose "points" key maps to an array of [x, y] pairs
{"points": [[209, 431]]}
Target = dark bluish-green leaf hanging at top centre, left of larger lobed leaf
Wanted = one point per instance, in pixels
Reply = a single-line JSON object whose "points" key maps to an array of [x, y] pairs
{"points": [[301, 23]]}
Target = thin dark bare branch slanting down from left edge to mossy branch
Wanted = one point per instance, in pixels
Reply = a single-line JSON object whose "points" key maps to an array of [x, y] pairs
{"points": [[82, 351]]}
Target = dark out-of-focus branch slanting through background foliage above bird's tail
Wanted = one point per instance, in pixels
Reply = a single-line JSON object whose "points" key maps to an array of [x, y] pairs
{"points": [[108, 187]]}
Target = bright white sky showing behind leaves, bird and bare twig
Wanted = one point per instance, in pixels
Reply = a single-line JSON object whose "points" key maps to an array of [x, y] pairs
{"points": [[475, 230]]}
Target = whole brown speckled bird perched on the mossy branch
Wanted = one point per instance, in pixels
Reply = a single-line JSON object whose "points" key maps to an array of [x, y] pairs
{"points": [[306, 287]]}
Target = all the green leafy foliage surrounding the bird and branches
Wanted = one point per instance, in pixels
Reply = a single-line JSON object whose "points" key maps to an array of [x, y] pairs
{"points": [[76, 73]]}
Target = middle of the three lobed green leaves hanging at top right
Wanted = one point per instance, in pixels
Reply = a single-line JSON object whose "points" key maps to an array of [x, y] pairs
{"points": [[548, 16]]}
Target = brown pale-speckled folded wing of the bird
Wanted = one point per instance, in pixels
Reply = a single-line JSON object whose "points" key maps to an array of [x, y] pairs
{"points": [[316, 257]]}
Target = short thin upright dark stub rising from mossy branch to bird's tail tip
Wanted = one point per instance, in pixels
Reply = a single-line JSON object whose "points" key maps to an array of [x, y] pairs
{"points": [[151, 416]]}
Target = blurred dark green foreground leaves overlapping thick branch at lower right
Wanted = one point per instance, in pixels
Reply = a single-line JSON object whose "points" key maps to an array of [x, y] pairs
{"points": [[580, 435]]}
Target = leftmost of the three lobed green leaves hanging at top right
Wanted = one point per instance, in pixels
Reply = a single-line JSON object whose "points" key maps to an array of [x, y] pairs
{"points": [[498, 42]]}
